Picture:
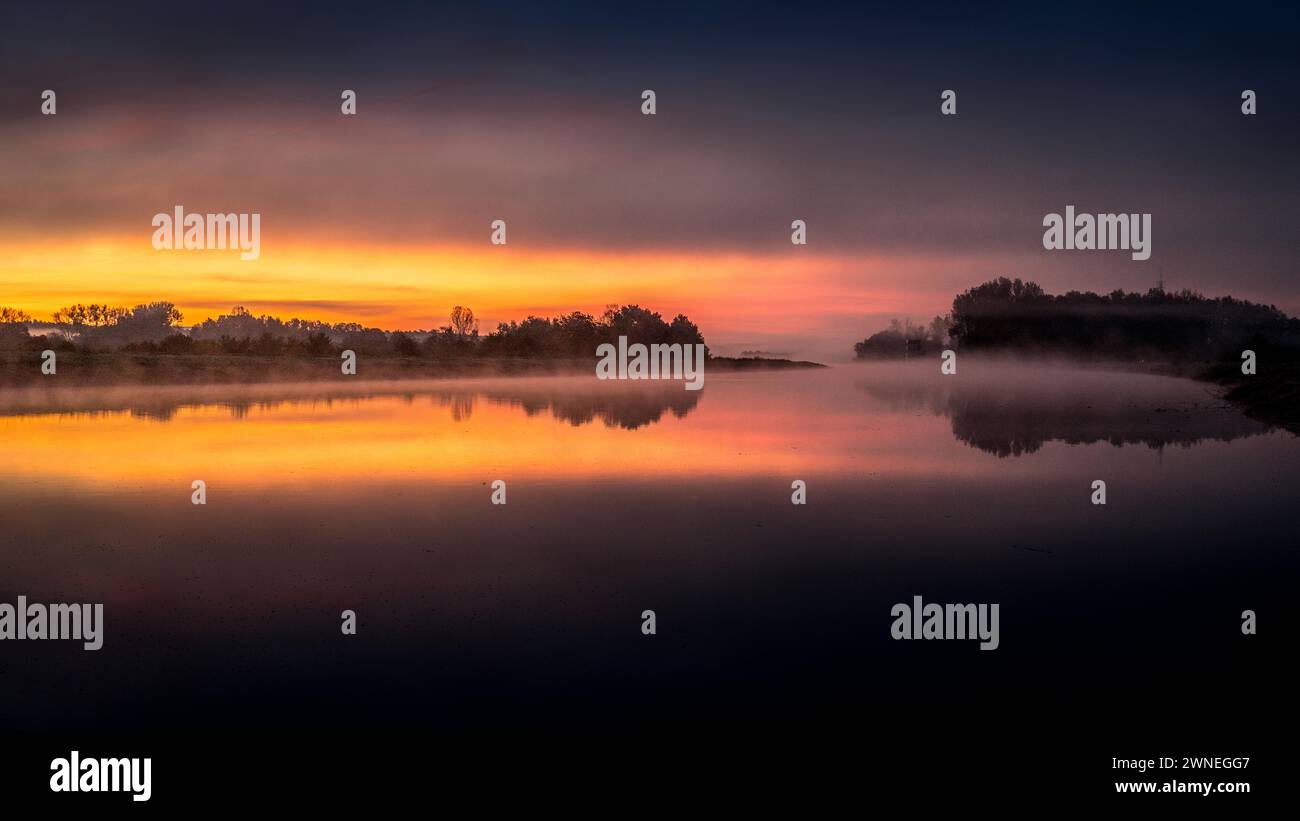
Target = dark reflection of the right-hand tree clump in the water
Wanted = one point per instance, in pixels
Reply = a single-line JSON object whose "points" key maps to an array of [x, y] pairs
{"points": [[1013, 411]]}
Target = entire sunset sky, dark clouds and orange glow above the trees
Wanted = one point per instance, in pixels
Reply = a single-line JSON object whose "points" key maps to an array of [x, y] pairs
{"points": [[531, 114]]}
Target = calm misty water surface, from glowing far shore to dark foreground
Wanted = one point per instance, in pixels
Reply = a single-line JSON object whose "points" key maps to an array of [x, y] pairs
{"points": [[375, 498]]}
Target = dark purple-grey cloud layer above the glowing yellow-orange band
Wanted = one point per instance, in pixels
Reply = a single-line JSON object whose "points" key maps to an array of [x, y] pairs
{"points": [[768, 112]]}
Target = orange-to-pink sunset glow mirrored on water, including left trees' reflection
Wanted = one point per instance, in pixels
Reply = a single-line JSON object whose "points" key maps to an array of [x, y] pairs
{"points": [[549, 429]]}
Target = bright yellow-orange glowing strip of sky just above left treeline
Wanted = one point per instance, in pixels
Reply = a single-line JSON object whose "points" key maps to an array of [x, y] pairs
{"points": [[414, 288]]}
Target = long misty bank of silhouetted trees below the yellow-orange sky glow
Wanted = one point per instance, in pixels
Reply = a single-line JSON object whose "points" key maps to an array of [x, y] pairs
{"points": [[107, 344]]}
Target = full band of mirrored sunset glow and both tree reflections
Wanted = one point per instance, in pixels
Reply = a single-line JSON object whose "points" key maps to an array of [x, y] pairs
{"points": [[878, 420]]}
